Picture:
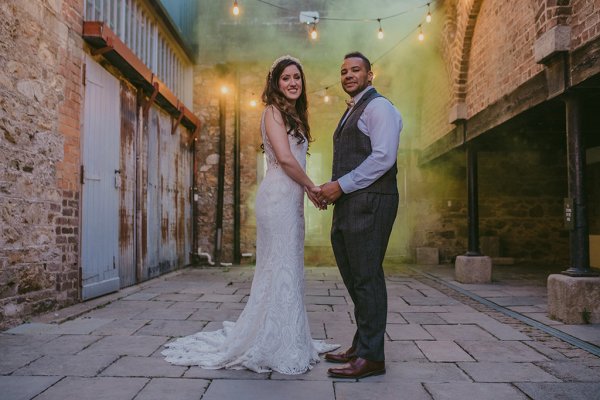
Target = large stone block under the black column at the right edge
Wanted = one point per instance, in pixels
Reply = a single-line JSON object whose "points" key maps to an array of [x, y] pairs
{"points": [[574, 300]]}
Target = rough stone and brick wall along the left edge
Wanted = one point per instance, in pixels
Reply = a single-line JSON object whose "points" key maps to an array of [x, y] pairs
{"points": [[40, 98]]}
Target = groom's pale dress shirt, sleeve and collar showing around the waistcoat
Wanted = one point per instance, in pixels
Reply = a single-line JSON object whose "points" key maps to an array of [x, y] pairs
{"points": [[382, 123]]}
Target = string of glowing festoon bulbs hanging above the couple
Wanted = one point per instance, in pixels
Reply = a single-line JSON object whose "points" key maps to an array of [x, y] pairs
{"points": [[314, 33]]}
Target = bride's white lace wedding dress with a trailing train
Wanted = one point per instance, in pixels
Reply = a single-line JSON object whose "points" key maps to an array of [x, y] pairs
{"points": [[272, 333]]}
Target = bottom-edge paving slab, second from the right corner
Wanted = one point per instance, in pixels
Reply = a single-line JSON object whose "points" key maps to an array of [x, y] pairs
{"points": [[479, 391]]}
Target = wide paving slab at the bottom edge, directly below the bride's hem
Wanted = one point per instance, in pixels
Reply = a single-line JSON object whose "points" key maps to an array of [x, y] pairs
{"points": [[269, 390]]}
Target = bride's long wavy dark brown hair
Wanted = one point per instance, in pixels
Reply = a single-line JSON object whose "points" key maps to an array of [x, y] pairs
{"points": [[296, 118]]}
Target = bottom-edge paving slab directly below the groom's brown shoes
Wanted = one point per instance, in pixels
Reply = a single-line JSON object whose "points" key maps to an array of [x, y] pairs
{"points": [[380, 391]]}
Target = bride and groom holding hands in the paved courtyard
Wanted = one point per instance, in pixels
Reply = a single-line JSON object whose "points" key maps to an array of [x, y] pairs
{"points": [[272, 333]]}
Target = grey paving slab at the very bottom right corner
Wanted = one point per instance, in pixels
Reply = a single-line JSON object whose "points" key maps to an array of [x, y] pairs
{"points": [[561, 391]]}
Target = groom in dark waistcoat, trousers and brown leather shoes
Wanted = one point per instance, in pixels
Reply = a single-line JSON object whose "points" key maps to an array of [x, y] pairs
{"points": [[365, 193]]}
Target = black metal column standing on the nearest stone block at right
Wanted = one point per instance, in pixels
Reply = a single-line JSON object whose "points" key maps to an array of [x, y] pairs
{"points": [[579, 233]]}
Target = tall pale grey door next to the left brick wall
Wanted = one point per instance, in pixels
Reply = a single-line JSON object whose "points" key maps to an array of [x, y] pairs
{"points": [[101, 180]]}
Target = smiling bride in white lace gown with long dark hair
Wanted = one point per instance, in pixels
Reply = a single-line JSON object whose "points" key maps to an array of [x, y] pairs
{"points": [[272, 332]]}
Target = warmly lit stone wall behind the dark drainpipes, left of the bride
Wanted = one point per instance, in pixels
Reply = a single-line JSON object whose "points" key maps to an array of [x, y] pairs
{"points": [[208, 81]]}
